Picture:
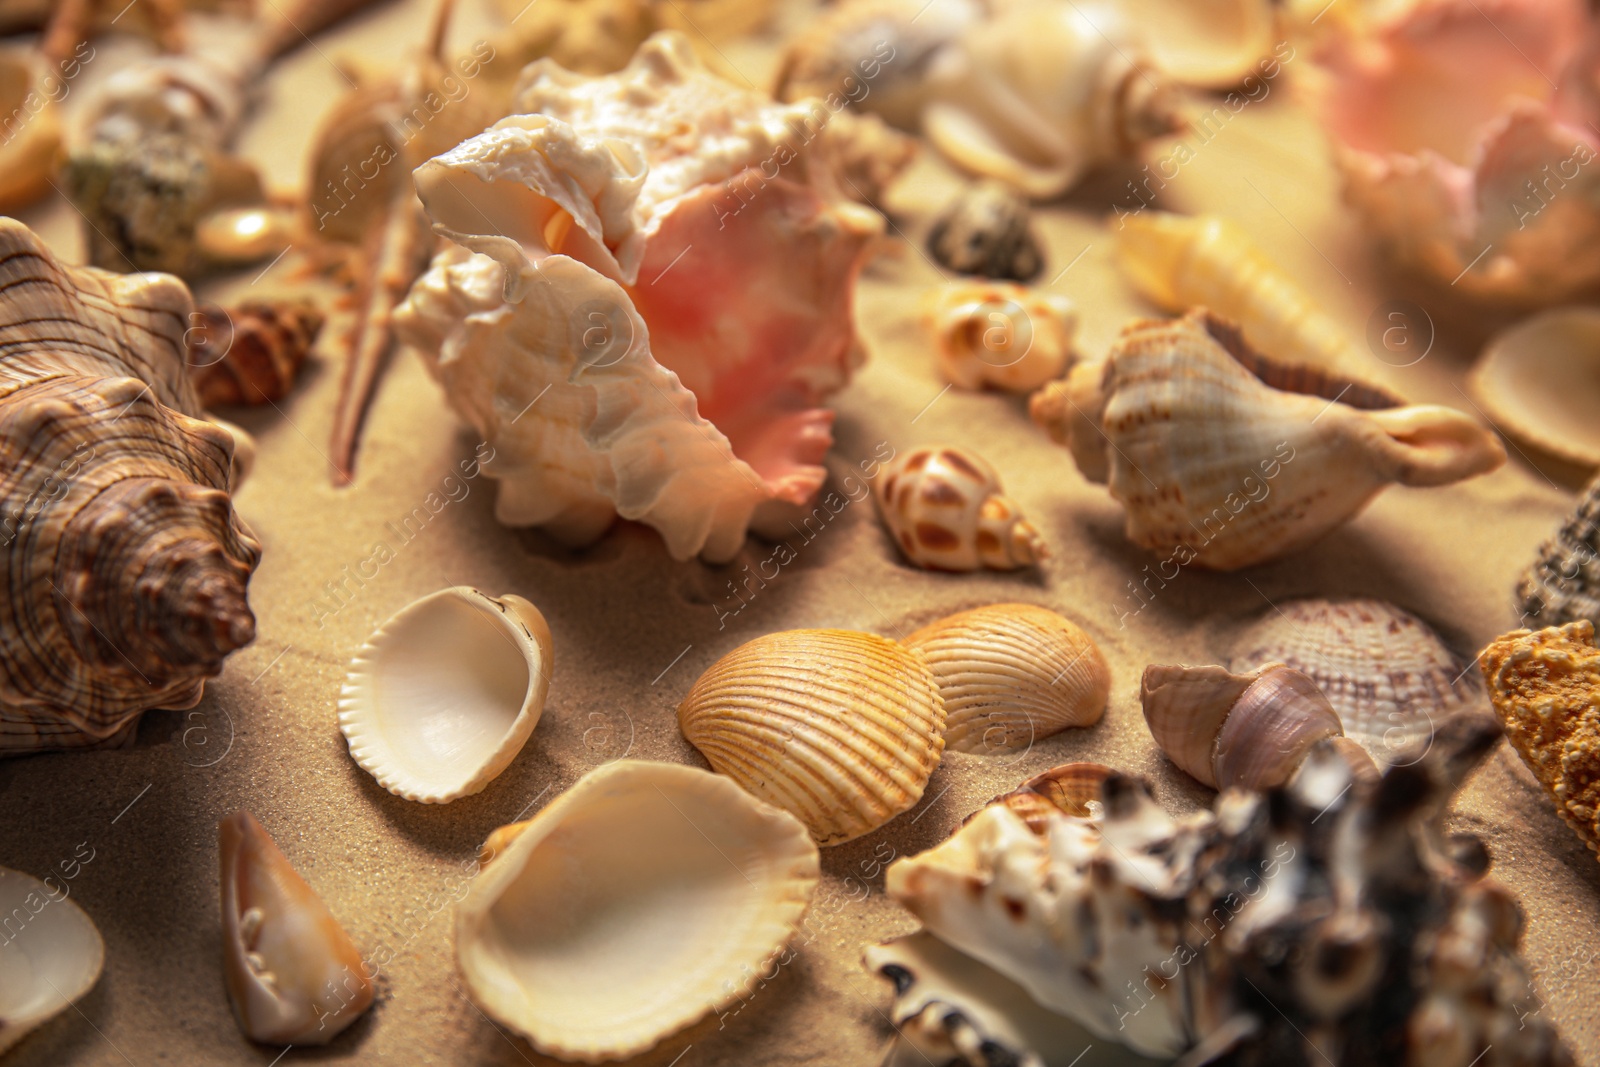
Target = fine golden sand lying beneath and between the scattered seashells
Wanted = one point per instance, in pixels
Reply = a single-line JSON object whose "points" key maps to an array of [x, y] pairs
{"points": [[634, 629]]}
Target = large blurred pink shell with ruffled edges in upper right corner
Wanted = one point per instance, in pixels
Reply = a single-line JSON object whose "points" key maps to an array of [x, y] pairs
{"points": [[1466, 135]]}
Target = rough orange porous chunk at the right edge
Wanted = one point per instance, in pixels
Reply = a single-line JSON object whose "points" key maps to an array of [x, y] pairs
{"points": [[1546, 690]]}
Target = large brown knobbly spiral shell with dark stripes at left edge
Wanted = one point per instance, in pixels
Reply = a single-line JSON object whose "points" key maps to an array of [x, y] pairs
{"points": [[126, 567]]}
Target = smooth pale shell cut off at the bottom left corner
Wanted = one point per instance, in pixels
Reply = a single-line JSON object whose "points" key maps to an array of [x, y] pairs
{"points": [[49, 961]]}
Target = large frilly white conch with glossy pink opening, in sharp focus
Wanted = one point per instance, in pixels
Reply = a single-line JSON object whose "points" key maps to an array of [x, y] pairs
{"points": [[609, 377]]}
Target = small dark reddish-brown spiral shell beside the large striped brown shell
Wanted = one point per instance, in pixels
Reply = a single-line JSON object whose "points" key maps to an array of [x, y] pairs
{"points": [[249, 354]]}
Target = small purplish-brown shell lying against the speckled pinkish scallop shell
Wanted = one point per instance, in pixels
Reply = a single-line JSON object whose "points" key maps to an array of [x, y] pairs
{"points": [[1247, 730]]}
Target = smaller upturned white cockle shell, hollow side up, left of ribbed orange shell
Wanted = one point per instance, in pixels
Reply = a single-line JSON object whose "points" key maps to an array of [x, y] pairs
{"points": [[444, 695]]}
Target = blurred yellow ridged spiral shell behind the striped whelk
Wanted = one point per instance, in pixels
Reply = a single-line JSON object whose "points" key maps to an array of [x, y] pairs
{"points": [[1180, 262]]}
